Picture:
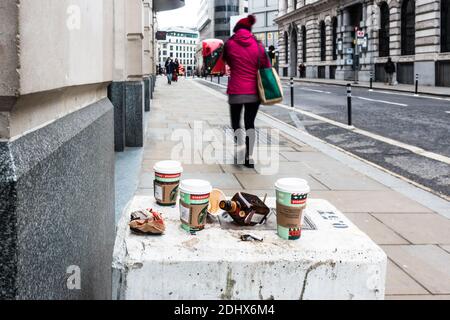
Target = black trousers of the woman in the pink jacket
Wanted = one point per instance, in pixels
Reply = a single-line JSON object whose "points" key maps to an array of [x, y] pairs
{"points": [[251, 110]]}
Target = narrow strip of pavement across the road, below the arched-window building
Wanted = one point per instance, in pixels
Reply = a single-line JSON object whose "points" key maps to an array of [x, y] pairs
{"points": [[436, 91]]}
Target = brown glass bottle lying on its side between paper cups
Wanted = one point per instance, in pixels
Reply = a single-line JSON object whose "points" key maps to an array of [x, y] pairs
{"points": [[245, 209]]}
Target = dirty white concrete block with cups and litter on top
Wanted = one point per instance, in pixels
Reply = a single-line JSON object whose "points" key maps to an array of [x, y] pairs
{"points": [[326, 263]]}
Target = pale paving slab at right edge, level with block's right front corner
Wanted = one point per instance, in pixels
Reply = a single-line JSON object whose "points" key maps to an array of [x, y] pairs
{"points": [[427, 264]]}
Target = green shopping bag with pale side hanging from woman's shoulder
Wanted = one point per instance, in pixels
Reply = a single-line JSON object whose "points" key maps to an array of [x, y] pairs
{"points": [[269, 85]]}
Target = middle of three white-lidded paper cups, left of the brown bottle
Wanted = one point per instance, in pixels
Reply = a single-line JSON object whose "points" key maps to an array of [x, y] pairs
{"points": [[194, 201]]}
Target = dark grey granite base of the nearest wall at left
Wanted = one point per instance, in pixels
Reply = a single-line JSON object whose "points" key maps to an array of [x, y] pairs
{"points": [[57, 208]]}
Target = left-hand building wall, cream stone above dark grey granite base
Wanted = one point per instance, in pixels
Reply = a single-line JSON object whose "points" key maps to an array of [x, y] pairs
{"points": [[70, 72]]}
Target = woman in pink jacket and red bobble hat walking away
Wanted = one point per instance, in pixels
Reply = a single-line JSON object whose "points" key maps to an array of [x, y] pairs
{"points": [[245, 56]]}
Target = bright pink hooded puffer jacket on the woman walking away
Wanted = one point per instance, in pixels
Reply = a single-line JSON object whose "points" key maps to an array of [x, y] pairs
{"points": [[241, 54]]}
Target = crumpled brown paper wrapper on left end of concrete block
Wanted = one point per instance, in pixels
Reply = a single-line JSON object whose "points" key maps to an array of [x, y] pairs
{"points": [[147, 222]]}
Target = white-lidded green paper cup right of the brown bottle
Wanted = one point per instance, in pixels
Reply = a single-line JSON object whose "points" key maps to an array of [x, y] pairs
{"points": [[292, 194]]}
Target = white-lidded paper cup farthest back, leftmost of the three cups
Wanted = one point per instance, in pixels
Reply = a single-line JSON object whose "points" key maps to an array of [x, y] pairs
{"points": [[167, 181]]}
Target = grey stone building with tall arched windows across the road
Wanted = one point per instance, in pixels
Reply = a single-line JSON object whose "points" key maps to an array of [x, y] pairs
{"points": [[321, 34]]}
